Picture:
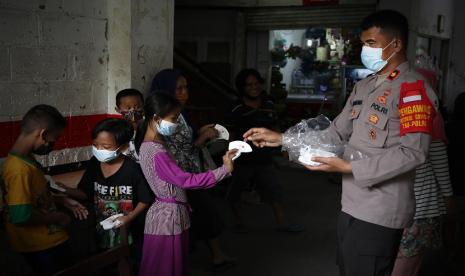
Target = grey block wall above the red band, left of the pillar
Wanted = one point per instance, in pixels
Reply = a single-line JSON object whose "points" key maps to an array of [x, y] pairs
{"points": [[53, 52]]}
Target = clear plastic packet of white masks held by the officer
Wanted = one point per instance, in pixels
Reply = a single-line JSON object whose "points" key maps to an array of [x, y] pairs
{"points": [[310, 138]]}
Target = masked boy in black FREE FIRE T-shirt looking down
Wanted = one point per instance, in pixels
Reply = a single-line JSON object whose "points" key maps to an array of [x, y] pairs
{"points": [[114, 184]]}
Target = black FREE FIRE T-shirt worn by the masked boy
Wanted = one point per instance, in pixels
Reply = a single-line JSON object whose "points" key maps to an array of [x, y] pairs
{"points": [[118, 193]]}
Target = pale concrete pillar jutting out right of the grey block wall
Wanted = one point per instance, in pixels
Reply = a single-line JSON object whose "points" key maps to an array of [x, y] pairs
{"points": [[140, 43]]}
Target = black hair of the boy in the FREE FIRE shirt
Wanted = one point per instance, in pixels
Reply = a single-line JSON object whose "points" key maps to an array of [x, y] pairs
{"points": [[121, 130]]}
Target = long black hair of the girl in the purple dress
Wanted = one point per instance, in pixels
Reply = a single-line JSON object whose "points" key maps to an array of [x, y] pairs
{"points": [[161, 104]]}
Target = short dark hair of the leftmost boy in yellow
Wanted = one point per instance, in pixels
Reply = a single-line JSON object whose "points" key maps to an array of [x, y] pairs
{"points": [[42, 116]]}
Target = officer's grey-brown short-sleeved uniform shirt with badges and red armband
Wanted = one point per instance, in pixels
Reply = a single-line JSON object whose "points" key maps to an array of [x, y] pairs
{"points": [[380, 188]]}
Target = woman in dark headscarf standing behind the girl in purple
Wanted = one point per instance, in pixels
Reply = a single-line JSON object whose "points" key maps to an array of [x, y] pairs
{"points": [[185, 146]]}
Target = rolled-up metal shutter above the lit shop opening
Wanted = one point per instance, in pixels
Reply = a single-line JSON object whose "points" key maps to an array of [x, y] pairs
{"points": [[304, 17]]}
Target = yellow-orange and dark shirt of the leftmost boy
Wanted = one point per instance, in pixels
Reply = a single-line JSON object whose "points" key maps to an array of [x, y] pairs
{"points": [[27, 193]]}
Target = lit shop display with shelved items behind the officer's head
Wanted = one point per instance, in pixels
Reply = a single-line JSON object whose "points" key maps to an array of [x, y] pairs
{"points": [[309, 62]]}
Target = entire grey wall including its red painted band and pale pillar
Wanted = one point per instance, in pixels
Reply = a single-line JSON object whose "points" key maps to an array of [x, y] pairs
{"points": [[76, 55]]}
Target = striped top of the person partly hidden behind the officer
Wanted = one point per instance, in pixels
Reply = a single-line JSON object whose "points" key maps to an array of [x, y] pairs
{"points": [[432, 183]]}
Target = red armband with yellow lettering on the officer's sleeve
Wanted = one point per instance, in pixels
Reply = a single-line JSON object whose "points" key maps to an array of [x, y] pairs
{"points": [[415, 109]]}
